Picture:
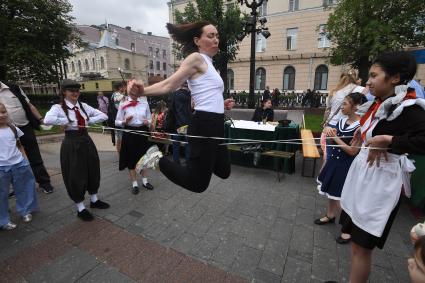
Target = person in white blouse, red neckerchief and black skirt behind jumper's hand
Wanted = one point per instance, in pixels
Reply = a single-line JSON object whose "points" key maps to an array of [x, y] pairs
{"points": [[134, 114]]}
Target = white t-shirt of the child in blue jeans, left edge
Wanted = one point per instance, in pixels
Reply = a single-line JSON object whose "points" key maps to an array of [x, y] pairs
{"points": [[9, 152]]}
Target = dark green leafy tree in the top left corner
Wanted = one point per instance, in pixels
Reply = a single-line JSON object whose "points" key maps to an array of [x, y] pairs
{"points": [[34, 36]]}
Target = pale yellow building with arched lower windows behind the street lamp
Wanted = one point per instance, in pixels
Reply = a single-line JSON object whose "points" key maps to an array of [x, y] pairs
{"points": [[296, 55]]}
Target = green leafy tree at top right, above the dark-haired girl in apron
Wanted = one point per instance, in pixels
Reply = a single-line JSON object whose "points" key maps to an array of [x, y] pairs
{"points": [[361, 29]]}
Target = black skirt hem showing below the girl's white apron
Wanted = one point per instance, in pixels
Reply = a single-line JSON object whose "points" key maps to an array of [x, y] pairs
{"points": [[363, 238]]}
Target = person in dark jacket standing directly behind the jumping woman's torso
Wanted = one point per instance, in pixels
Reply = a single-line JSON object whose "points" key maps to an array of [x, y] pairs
{"points": [[181, 108]]}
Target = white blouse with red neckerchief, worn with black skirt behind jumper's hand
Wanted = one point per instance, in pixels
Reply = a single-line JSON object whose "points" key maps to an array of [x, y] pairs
{"points": [[140, 113]]}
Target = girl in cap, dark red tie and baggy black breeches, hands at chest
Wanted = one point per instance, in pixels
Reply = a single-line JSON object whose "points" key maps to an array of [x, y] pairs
{"points": [[78, 154]]}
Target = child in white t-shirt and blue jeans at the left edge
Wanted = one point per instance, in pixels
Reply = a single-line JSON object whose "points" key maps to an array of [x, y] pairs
{"points": [[15, 169]]}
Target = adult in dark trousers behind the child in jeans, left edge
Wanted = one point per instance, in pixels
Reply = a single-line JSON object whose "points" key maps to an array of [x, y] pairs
{"points": [[27, 118]]}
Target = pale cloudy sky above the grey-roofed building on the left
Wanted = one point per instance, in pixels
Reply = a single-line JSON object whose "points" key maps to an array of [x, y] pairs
{"points": [[140, 15]]}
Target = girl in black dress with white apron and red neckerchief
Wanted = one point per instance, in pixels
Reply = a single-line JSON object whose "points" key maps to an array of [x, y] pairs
{"points": [[393, 125]]}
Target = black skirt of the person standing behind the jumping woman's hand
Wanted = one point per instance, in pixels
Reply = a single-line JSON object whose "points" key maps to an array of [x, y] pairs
{"points": [[133, 147]]}
